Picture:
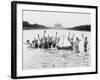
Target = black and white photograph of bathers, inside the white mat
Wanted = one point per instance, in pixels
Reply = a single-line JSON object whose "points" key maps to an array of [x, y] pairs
{"points": [[56, 39]]}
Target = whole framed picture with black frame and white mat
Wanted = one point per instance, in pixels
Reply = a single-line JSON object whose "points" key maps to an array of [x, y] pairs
{"points": [[53, 39]]}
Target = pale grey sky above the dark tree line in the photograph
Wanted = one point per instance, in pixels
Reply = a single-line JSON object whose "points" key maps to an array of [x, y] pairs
{"points": [[49, 19]]}
